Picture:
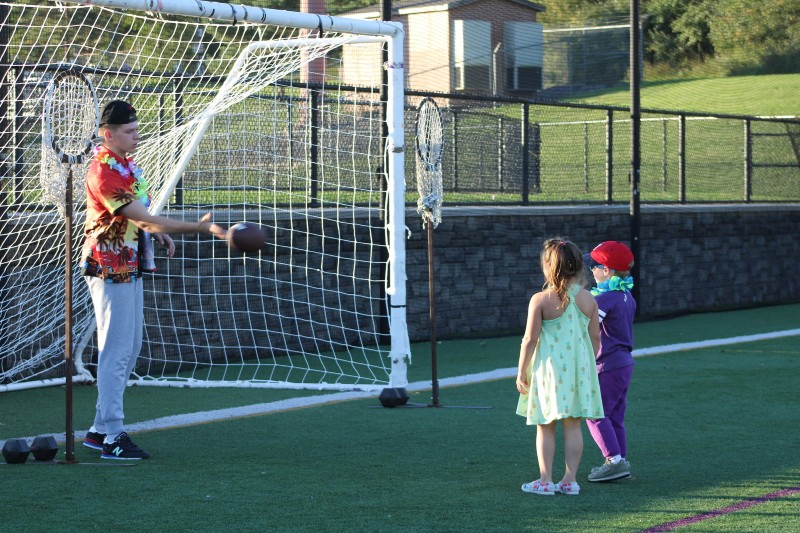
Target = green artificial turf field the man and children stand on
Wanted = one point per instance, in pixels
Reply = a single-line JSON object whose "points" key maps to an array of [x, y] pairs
{"points": [[709, 429]]}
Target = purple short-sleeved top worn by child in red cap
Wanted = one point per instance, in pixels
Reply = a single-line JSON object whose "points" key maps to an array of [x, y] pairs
{"points": [[616, 309]]}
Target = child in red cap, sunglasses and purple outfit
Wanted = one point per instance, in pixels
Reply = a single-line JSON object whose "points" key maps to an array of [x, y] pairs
{"points": [[610, 263]]}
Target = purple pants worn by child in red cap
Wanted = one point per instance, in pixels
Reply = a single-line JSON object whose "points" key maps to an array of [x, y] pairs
{"points": [[609, 432]]}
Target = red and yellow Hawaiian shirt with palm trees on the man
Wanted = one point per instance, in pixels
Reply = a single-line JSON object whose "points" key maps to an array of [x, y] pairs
{"points": [[111, 246]]}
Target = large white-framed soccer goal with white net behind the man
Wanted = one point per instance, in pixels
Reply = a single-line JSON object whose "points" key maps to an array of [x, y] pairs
{"points": [[293, 121]]}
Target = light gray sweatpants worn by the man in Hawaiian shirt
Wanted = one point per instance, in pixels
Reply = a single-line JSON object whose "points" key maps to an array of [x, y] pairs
{"points": [[119, 311]]}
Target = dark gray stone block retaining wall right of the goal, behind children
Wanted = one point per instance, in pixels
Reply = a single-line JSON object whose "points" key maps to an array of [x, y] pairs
{"points": [[692, 258]]}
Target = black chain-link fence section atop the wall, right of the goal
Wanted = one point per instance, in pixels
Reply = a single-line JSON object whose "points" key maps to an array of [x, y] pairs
{"points": [[500, 152]]}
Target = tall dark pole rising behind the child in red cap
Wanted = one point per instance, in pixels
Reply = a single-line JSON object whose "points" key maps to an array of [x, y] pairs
{"points": [[635, 74]]}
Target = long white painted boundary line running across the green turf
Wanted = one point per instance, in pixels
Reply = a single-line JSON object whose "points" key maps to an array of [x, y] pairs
{"points": [[204, 417]]}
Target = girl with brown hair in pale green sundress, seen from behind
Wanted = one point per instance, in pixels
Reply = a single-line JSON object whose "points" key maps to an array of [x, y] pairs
{"points": [[556, 375]]}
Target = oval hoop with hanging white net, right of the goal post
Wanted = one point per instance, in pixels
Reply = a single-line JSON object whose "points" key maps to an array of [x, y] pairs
{"points": [[430, 147]]}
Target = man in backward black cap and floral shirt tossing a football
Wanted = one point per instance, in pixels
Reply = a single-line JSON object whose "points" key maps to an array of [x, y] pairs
{"points": [[116, 251]]}
